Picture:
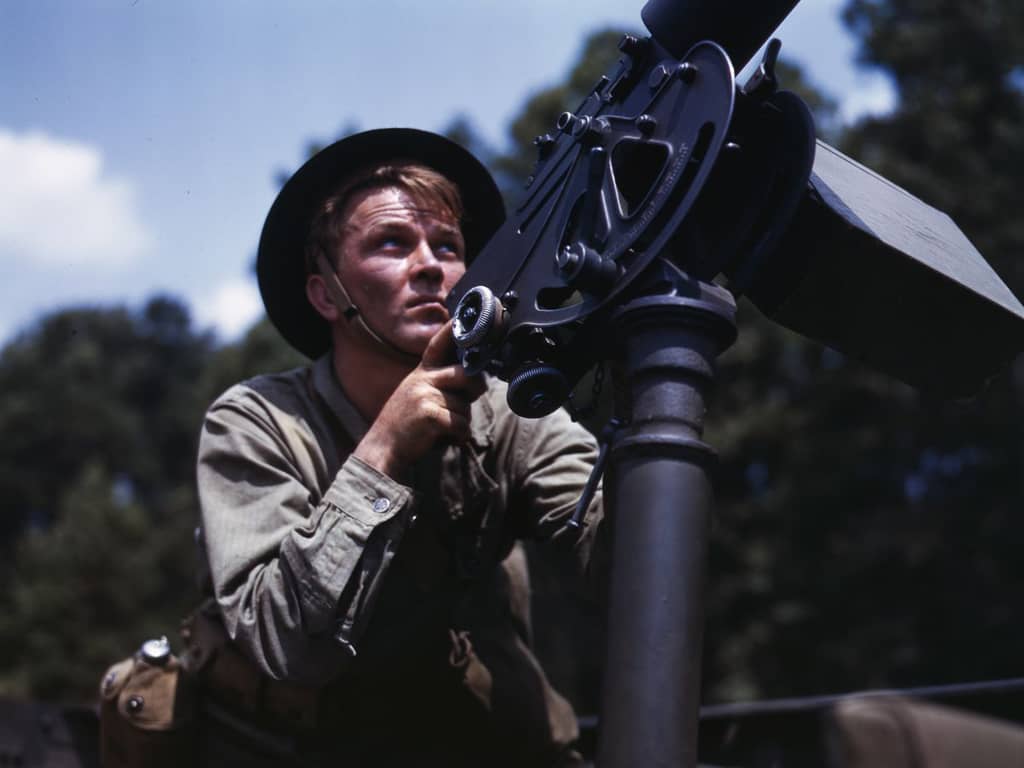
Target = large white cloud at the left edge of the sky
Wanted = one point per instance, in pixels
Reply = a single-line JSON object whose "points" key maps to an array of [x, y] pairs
{"points": [[58, 206]]}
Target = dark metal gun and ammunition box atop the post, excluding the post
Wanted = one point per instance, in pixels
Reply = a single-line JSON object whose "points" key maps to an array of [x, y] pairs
{"points": [[668, 157]]}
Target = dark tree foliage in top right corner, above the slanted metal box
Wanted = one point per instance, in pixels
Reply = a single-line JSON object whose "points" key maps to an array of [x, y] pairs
{"points": [[956, 139]]}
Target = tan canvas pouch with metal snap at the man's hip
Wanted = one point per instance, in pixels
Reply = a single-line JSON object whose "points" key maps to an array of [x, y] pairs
{"points": [[148, 714]]}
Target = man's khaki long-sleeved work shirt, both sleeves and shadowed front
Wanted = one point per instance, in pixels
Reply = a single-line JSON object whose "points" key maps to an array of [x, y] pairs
{"points": [[324, 568]]}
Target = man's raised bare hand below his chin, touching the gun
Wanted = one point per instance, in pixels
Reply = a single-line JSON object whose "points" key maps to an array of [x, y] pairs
{"points": [[431, 405]]}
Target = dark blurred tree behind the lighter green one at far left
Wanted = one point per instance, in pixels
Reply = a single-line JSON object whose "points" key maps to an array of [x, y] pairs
{"points": [[104, 386]]}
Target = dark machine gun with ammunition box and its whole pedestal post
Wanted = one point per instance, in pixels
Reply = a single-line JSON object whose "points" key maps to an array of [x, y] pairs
{"points": [[668, 194]]}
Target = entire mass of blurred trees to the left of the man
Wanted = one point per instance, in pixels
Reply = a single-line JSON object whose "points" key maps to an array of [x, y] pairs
{"points": [[101, 412]]}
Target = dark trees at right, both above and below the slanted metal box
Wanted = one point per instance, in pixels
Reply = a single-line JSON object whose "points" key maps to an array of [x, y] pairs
{"points": [[866, 534]]}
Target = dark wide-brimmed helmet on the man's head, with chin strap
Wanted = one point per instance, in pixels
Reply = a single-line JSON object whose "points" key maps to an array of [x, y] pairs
{"points": [[281, 265]]}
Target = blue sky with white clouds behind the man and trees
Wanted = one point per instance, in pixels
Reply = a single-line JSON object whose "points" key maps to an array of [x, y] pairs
{"points": [[141, 140]]}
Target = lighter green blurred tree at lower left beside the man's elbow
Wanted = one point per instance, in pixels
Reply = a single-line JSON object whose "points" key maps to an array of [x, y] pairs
{"points": [[89, 589]]}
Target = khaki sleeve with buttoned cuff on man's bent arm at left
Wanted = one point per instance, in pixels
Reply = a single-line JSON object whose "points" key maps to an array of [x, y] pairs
{"points": [[293, 570]]}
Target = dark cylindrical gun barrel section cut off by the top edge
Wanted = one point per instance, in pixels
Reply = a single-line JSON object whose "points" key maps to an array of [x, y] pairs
{"points": [[741, 28]]}
